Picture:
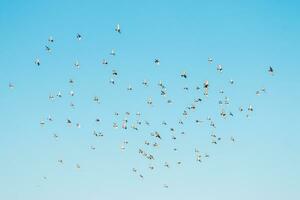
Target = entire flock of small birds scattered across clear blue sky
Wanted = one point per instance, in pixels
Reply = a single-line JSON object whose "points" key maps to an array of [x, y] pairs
{"points": [[154, 138]]}
